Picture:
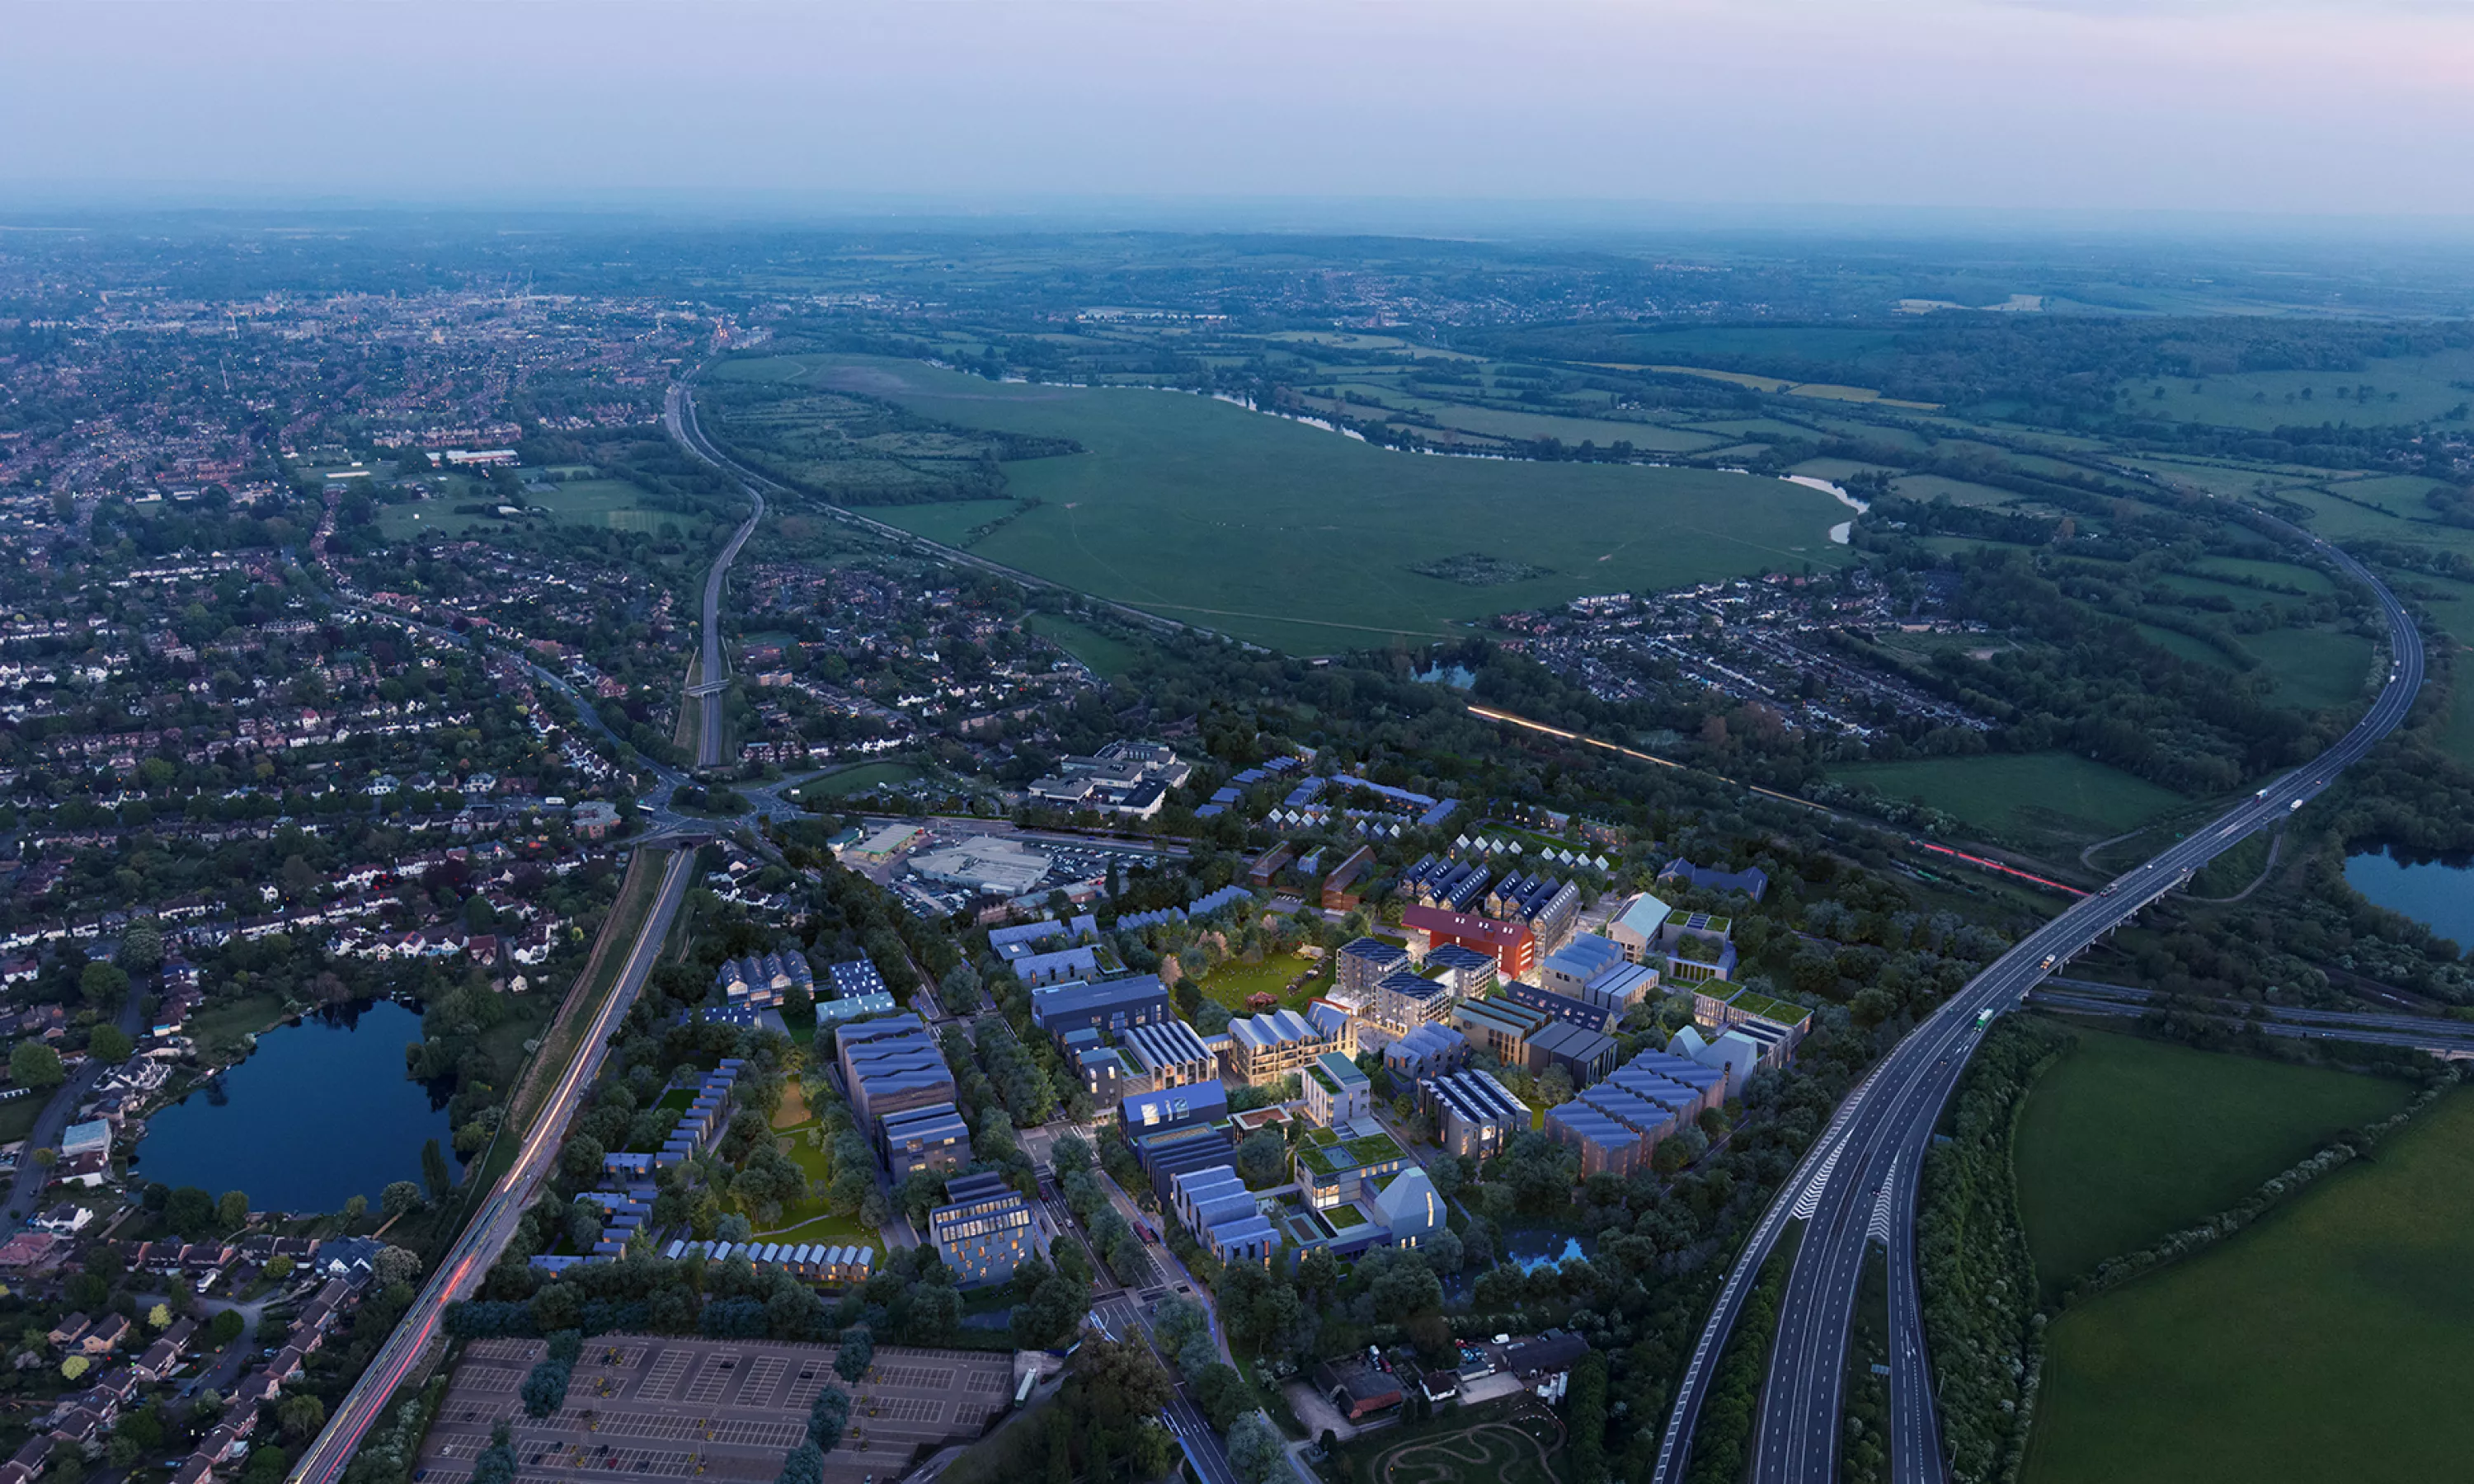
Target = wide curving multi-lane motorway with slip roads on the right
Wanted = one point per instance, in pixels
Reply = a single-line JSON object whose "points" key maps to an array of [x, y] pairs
{"points": [[1862, 1176]]}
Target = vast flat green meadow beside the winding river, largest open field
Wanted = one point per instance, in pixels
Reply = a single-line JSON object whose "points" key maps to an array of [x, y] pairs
{"points": [[1288, 535]]}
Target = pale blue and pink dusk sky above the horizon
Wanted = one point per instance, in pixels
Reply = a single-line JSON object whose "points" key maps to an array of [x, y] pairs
{"points": [[2272, 108]]}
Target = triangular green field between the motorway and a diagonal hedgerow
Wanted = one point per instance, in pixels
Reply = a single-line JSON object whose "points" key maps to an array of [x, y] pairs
{"points": [[2126, 1141]]}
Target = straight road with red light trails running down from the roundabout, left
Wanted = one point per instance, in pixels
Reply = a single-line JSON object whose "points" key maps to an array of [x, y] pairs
{"points": [[489, 1233]]}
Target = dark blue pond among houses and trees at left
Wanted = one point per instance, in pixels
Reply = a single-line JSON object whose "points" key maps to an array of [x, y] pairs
{"points": [[315, 1117]]}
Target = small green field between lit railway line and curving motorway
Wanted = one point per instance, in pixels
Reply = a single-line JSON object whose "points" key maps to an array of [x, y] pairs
{"points": [[2022, 795]]}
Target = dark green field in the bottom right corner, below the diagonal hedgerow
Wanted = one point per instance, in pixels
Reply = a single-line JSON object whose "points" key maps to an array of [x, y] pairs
{"points": [[2329, 1342]]}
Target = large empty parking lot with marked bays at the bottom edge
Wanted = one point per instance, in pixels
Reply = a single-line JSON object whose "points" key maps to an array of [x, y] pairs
{"points": [[677, 1409]]}
